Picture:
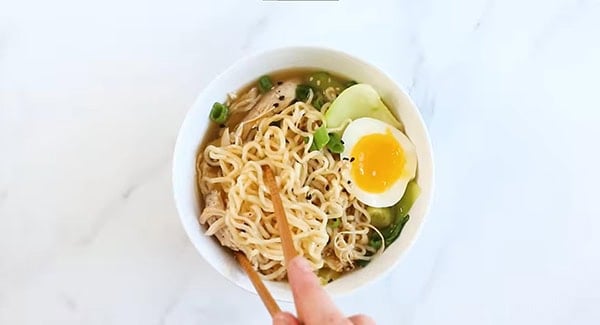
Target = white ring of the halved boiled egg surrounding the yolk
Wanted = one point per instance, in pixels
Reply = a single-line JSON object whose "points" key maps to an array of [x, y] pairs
{"points": [[361, 127]]}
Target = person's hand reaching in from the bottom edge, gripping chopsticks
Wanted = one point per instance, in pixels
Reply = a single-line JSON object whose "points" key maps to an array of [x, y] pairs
{"points": [[313, 304]]}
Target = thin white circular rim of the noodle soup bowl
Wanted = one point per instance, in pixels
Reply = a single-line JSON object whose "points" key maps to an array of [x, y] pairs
{"points": [[249, 58]]}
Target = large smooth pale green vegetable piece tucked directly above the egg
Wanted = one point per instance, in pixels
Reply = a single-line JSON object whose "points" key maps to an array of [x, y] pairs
{"points": [[358, 101]]}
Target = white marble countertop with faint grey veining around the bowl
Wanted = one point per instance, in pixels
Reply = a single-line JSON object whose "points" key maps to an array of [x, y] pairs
{"points": [[92, 96]]}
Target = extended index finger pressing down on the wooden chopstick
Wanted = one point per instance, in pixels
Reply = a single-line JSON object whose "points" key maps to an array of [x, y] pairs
{"points": [[313, 304]]}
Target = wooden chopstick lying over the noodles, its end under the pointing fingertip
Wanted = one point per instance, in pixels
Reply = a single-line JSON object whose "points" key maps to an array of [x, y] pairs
{"points": [[289, 251]]}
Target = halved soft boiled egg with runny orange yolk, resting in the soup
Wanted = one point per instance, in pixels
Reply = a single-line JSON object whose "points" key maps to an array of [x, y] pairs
{"points": [[382, 161]]}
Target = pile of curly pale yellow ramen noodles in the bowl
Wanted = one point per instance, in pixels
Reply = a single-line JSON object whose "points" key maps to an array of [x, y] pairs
{"points": [[329, 226]]}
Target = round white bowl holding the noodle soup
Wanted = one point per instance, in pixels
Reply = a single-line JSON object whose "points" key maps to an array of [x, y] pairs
{"points": [[249, 69]]}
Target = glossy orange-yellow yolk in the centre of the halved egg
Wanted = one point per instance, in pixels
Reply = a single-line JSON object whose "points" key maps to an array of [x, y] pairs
{"points": [[378, 162]]}
